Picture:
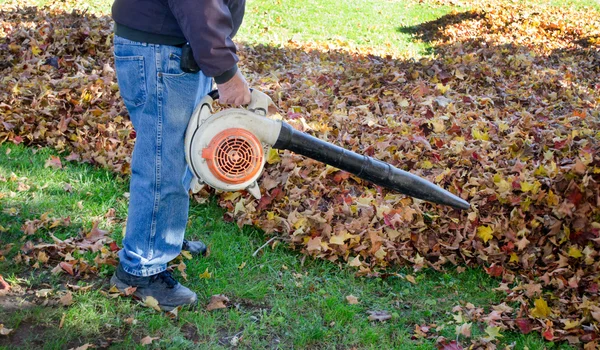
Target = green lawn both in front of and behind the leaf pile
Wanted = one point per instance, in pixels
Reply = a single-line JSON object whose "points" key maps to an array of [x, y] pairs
{"points": [[277, 297]]}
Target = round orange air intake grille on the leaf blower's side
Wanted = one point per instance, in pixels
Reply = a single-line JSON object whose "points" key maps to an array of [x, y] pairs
{"points": [[234, 155]]}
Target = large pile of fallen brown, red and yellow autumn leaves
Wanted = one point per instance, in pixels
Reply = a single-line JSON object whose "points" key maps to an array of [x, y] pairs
{"points": [[506, 115]]}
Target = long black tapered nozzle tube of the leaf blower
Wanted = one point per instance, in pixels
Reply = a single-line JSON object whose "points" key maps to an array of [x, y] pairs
{"points": [[365, 167]]}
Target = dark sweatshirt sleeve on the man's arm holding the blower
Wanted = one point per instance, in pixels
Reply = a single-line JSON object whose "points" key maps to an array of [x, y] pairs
{"points": [[209, 25]]}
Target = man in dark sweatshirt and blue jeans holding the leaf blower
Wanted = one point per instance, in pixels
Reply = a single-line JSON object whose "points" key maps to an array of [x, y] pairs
{"points": [[160, 93]]}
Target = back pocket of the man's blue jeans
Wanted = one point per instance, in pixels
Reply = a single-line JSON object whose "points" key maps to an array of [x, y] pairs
{"points": [[132, 79]]}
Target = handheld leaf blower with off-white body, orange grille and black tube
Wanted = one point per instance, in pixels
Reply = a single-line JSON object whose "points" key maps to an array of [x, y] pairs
{"points": [[228, 151]]}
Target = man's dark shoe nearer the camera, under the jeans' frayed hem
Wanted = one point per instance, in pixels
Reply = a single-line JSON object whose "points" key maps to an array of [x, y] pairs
{"points": [[163, 287]]}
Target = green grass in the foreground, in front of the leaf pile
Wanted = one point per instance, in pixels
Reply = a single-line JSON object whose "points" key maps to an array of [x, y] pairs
{"points": [[278, 298]]}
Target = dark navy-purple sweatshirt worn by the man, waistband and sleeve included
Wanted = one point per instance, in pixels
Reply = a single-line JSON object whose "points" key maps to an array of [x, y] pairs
{"points": [[208, 25]]}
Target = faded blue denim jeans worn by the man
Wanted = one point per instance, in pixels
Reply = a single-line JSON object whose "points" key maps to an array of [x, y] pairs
{"points": [[160, 99]]}
